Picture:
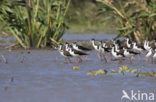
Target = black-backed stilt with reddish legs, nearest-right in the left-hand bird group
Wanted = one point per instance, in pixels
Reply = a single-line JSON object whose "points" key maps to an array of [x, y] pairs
{"points": [[76, 53]]}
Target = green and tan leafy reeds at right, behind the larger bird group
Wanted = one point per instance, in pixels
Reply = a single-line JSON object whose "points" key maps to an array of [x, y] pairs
{"points": [[135, 18]]}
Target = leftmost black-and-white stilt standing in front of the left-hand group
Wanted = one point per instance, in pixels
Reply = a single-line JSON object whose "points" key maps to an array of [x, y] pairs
{"points": [[64, 53]]}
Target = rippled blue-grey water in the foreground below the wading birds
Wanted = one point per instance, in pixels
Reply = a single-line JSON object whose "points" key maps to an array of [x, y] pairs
{"points": [[43, 76]]}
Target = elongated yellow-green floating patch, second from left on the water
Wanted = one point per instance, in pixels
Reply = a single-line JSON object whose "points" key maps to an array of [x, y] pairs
{"points": [[98, 72]]}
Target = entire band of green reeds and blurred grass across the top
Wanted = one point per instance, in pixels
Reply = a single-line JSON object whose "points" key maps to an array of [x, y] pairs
{"points": [[37, 23]]}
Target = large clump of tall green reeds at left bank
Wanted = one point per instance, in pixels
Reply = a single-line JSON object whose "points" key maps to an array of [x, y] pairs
{"points": [[34, 23]]}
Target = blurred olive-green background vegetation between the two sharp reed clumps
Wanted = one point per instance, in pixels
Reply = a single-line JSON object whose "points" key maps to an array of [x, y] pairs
{"points": [[83, 18]]}
